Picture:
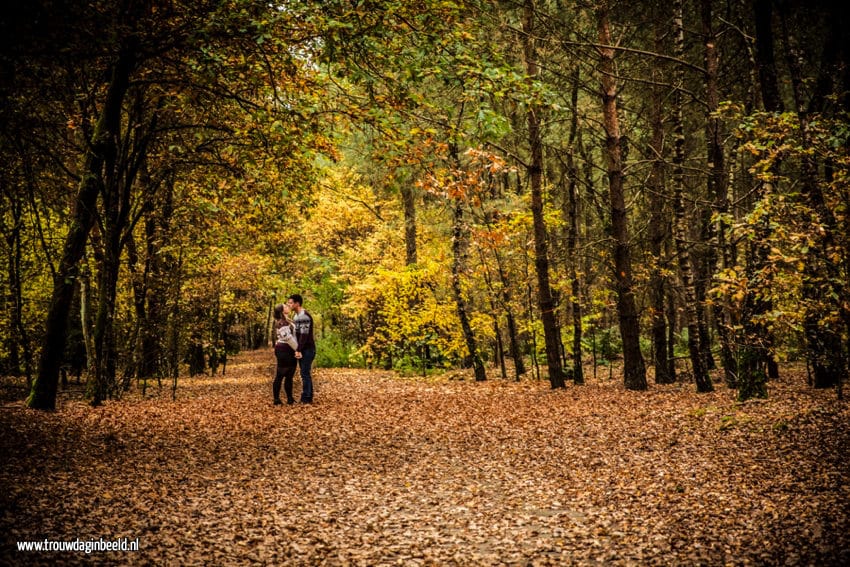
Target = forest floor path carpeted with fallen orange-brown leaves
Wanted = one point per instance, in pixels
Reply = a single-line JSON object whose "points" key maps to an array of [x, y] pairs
{"points": [[383, 470]]}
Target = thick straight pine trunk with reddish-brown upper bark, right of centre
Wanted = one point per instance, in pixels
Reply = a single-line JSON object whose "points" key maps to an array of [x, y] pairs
{"points": [[633, 365]]}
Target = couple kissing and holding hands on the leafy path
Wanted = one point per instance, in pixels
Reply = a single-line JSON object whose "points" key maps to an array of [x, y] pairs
{"points": [[294, 345]]}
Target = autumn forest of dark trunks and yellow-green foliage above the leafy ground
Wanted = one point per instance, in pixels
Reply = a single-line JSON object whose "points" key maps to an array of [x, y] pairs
{"points": [[653, 194]]}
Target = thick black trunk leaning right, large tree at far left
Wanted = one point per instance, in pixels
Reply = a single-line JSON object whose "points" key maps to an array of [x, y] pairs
{"points": [[103, 144]]}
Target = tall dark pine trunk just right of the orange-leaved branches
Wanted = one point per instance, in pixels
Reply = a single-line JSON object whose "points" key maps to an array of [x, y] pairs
{"points": [[551, 331]]}
